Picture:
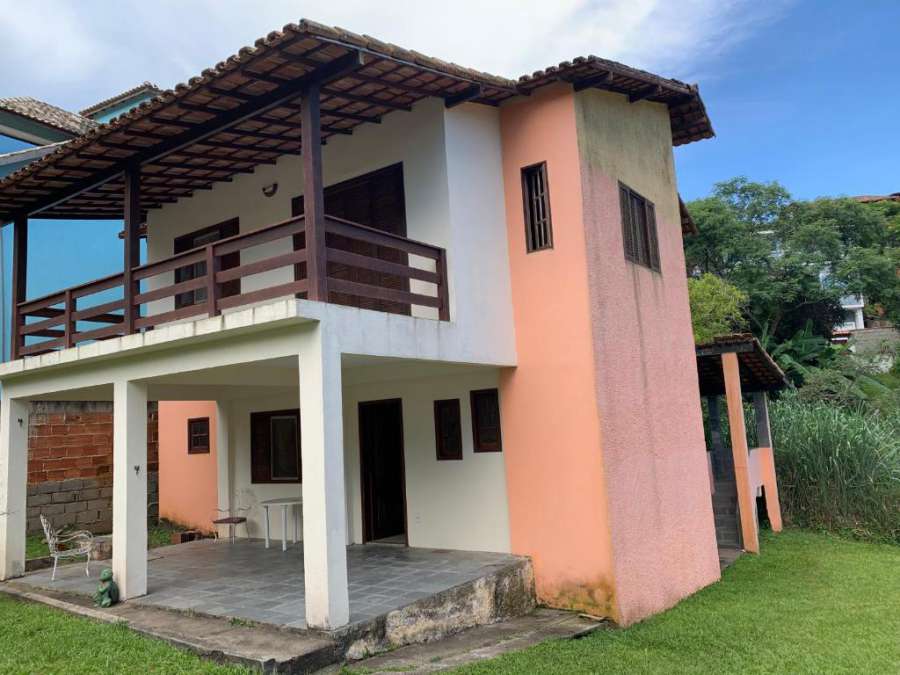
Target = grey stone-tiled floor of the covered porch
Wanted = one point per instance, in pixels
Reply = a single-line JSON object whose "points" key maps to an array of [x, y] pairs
{"points": [[247, 581]]}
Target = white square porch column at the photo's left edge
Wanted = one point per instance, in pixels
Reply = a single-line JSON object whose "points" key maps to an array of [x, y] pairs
{"points": [[13, 485]]}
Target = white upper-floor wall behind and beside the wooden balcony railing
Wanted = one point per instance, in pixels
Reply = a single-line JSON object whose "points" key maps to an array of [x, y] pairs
{"points": [[454, 199]]}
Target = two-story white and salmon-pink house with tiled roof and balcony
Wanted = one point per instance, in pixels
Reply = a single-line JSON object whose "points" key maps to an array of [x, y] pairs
{"points": [[443, 307]]}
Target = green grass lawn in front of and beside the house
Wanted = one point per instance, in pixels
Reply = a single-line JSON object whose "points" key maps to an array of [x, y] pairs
{"points": [[810, 603]]}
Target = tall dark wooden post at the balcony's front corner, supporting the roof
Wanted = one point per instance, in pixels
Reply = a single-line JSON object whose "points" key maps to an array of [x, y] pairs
{"points": [[313, 194]]}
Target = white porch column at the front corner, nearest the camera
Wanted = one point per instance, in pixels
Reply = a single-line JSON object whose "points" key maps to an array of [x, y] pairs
{"points": [[324, 506]]}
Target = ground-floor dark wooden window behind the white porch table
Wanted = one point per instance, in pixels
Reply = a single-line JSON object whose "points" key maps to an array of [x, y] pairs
{"points": [[275, 447]]}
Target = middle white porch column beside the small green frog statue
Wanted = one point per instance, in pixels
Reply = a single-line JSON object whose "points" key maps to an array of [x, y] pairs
{"points": [[130, 488]]}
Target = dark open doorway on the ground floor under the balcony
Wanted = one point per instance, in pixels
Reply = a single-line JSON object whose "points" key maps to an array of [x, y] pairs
{"points": [[382, 468]]}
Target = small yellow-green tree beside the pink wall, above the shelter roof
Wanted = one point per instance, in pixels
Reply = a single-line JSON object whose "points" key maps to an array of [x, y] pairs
{"points": [[716, 307]]}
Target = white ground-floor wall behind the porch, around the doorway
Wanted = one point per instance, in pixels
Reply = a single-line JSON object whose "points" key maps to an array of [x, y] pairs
{"points": [[450, 504]]}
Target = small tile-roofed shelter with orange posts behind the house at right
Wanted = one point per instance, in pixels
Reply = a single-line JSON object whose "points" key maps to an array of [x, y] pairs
{"points": [[732, 366]]}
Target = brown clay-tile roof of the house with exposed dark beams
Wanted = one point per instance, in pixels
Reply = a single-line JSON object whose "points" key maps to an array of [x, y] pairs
{"points": [[245, 112]]}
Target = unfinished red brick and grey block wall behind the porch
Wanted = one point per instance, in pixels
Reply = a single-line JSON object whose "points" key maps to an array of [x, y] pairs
{"points": [[70, 464]]}
